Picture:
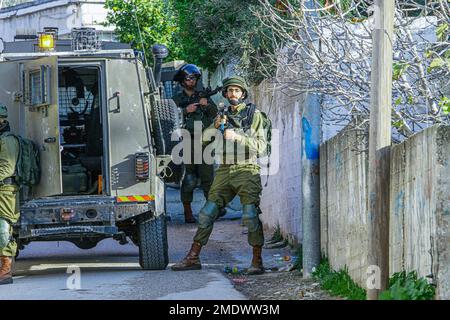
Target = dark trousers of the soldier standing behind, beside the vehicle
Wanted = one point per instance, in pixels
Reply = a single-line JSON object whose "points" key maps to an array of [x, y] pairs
{"points": [[192, 172]]}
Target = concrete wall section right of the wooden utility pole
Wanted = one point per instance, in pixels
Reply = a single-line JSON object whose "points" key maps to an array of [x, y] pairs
{"points": [[420, 207]]}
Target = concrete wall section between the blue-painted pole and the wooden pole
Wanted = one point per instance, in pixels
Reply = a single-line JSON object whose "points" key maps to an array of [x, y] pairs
{"points": [[343, 209]]}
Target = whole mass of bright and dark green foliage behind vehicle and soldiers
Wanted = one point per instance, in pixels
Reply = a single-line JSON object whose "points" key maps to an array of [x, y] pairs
{"points": [[203, 32]]}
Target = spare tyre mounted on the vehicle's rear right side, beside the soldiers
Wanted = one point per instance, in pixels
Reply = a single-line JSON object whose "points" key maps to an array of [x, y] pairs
{"points": [[166, 118]]}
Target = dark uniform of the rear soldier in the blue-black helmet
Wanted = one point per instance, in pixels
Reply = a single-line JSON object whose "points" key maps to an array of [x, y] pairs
{"points": [[205, 115]]}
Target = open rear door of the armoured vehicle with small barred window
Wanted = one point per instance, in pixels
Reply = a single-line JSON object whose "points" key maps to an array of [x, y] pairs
{"points": [[40, 120]]}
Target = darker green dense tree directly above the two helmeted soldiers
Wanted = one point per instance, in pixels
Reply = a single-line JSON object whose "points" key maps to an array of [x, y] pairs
{"points": [[211, 31]]}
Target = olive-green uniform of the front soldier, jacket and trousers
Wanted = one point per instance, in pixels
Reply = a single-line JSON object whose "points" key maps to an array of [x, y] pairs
{"points": [[238, 174]]}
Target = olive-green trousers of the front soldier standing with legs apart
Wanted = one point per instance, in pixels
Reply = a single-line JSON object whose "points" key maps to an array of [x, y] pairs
{"points": [[232, 180]]}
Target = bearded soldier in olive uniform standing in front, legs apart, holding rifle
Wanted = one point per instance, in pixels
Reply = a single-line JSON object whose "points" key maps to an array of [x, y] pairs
{"points": [[238, 174]]}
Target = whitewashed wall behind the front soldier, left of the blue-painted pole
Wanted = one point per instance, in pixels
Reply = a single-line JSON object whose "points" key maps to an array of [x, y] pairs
{"points": [[281, 198]]}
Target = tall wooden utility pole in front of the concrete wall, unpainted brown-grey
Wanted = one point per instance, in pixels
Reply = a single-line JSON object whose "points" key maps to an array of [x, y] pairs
{"points": [[379, 148]]}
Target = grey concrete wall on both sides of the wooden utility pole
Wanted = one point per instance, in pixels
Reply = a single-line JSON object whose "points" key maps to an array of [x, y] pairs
{"points": [[419, 206]]}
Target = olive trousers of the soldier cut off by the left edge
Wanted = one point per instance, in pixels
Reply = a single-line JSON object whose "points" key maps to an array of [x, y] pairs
{"points": [[9, 211]]}
